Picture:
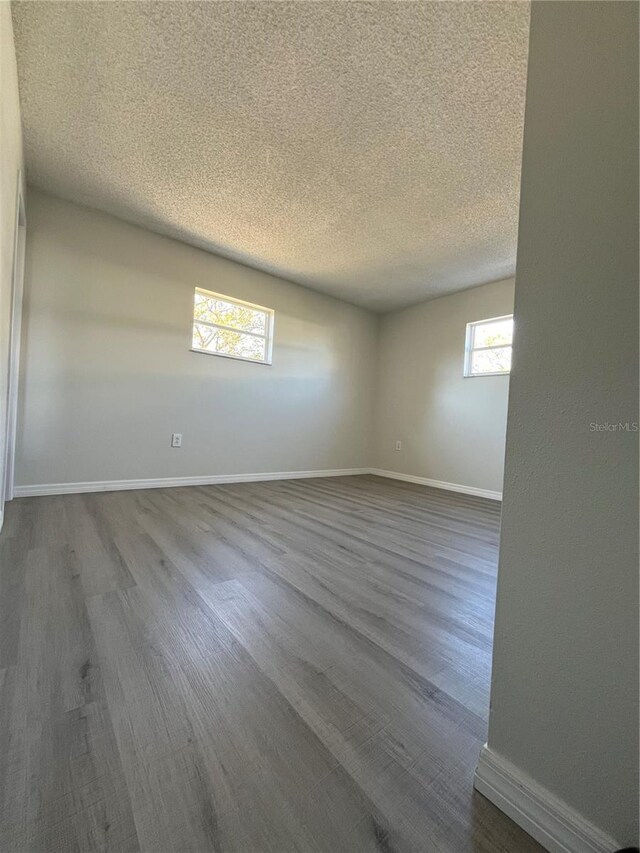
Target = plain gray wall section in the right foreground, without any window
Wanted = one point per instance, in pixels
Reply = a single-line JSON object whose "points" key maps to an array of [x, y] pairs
{"points": [[564, 702]]}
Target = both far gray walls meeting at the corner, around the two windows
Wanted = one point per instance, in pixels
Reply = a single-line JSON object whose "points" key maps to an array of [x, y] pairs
{"points": [[108, 376]]}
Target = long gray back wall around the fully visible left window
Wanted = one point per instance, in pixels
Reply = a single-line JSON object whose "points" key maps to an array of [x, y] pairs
{"points": [[108, 374]]}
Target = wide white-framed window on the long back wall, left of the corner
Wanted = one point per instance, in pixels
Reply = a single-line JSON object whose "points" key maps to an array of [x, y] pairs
{"points": [[231, 328]]}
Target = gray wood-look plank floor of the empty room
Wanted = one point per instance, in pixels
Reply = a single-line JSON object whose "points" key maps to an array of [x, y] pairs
{"points": [[292, 666]]}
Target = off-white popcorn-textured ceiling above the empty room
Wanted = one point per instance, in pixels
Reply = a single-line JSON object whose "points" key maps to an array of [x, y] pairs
{"points": [[368, 150]]}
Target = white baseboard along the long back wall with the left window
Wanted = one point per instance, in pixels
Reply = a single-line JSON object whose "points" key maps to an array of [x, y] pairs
{"points": [[169, 482]]}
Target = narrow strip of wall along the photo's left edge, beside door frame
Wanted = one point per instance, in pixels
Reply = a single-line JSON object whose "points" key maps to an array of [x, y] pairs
{"points": [[10, 167]]}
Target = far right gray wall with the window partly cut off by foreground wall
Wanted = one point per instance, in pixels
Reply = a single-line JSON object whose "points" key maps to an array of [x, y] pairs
{"points": [[452, 428]]}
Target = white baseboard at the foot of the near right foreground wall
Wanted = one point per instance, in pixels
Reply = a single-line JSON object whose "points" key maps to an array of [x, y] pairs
{"points": [[546, 818]]}
